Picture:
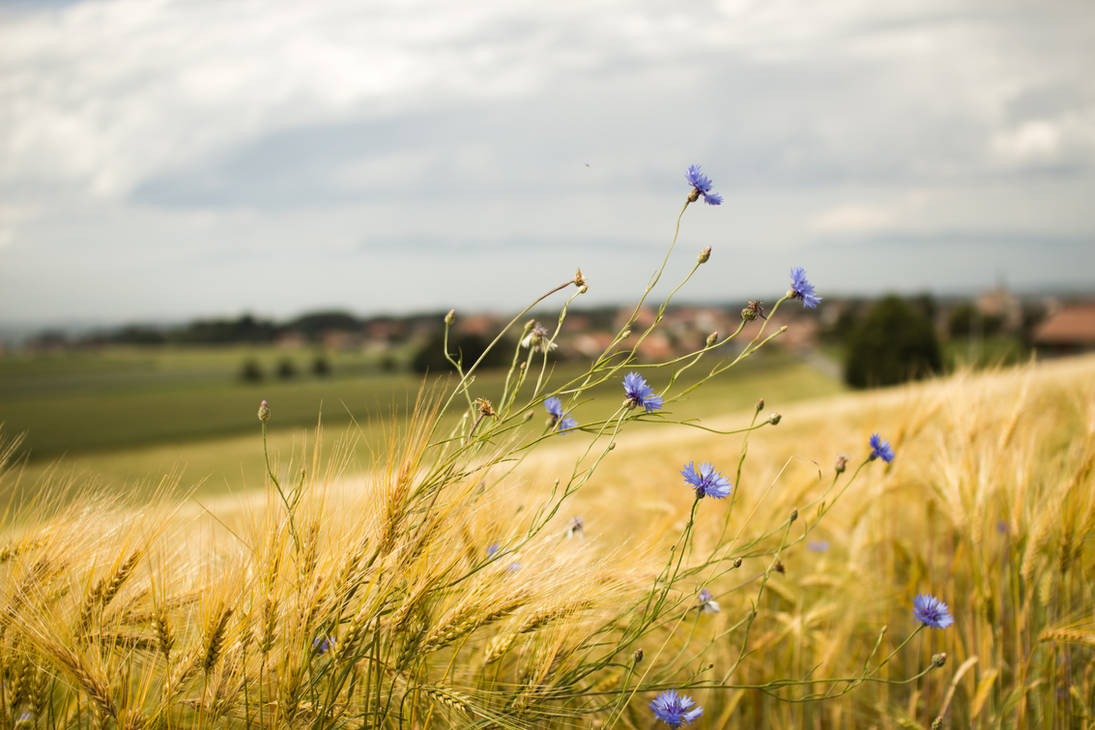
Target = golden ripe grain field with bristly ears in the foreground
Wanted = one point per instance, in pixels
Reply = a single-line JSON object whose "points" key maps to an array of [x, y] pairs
{"points": [[454, 588]]}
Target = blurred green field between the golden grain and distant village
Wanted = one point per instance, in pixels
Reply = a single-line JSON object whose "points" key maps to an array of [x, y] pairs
{"points": [[125, 418]]}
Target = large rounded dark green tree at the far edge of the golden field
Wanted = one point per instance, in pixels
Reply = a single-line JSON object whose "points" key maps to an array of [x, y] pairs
{"points": [[895, 343]]}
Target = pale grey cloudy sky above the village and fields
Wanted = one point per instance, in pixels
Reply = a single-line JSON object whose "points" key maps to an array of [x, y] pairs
{"points": [[162, 160]]}
